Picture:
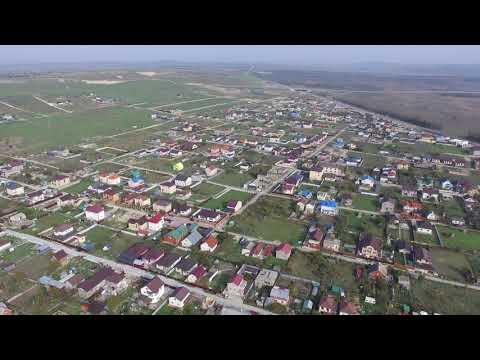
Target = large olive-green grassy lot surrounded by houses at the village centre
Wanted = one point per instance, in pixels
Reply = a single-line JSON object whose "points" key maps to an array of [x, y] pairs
{"points": [[268, 219]]}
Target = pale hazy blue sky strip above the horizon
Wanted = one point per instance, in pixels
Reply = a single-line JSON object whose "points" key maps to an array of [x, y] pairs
{"points": [[328, 54]]}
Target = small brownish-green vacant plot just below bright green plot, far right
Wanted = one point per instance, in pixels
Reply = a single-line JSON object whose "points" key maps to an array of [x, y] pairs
{"points": [[451, 264]]}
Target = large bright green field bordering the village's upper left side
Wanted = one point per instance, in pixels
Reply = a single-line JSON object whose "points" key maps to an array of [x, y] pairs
{"points": [[68, 129]]}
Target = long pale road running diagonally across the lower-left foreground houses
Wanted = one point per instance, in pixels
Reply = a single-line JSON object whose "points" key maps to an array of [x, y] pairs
{"points": [[133, 271]]}
